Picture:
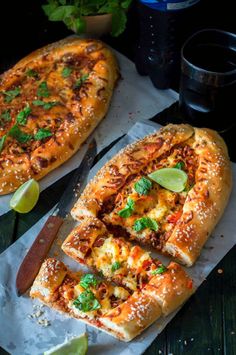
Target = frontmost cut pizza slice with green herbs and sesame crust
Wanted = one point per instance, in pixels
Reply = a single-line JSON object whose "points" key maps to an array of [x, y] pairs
{"points": [[110, 308]]}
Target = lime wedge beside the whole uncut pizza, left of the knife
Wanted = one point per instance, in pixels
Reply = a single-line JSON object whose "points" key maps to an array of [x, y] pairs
{"points": [[25, 197]]}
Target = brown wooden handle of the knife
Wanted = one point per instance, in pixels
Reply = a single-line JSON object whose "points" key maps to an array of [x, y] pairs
{"points": [[37, 253]]}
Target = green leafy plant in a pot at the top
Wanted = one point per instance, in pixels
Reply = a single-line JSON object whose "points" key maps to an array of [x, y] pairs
{"points": [[72, 13]]}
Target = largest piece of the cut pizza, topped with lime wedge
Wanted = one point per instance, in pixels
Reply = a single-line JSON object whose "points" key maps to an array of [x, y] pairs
{"points": [[125, 197]]}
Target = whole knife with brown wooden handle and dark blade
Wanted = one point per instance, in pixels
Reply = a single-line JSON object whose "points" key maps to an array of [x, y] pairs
{"points": [[42, 244]]}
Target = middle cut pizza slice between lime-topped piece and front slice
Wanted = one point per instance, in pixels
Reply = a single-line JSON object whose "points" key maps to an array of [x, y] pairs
{"points": [[120, 261]]}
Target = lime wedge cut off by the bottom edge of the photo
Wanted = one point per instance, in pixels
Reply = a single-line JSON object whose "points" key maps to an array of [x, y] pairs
{"points": [[75, 346]]}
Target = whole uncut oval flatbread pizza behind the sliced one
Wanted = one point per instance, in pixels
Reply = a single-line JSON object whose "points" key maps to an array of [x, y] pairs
{"points": [[70, 121]]}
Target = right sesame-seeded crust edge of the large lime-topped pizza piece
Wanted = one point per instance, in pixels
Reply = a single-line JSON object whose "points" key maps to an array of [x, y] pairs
{"points": [[206, 201]]}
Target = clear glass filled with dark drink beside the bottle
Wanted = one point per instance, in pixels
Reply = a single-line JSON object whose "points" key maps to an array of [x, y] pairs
{"points": [[208, 79]]}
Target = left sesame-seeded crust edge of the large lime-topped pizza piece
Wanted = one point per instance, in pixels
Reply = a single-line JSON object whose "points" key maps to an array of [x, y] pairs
{"points": [[128, 161]]}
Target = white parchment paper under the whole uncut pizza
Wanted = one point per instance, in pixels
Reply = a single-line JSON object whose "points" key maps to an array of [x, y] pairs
{"points": [[135, 98]]}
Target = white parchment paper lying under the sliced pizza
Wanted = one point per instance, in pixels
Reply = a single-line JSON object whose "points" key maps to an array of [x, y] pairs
{"points": [[22, 335]]}
